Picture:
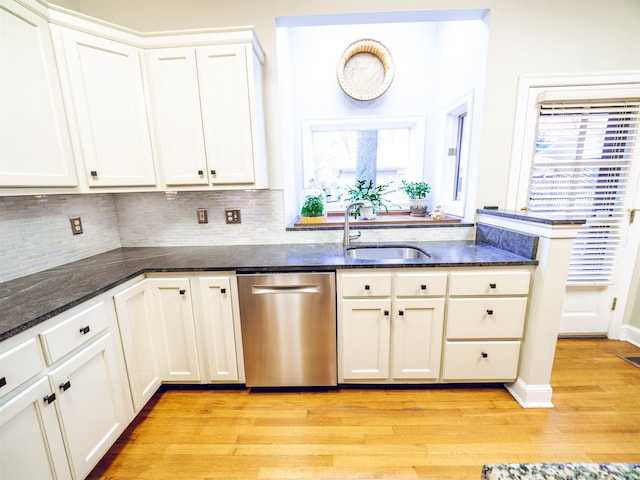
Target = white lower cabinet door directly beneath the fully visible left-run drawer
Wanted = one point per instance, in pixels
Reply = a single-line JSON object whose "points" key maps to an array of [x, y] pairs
{"points": [[92, 411]]}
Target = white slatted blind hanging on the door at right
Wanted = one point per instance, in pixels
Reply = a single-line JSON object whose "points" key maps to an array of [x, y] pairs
{"points": [[583, 165]]}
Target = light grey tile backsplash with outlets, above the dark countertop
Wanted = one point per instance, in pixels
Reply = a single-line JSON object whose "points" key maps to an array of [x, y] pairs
{"points": [[36, 234]]}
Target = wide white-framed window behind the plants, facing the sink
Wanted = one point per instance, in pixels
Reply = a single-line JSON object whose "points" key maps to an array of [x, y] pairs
{"points": [[337, 153]]}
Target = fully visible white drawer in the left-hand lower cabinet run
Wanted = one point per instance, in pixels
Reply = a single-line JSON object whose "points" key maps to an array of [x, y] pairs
{"points": [[73, 332]]}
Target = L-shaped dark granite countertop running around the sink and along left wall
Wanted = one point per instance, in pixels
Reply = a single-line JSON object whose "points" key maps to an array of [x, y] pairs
{"points": [[27, 301]]}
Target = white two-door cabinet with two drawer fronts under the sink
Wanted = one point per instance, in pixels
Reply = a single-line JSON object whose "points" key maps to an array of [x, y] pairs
{"points": [[389, 326]]}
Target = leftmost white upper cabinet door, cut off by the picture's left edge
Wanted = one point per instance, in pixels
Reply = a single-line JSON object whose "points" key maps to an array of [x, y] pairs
{"points": [[35, 149]]}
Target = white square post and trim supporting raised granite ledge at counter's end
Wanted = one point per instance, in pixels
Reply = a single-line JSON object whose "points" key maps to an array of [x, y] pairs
{"points": [[532, 388]]}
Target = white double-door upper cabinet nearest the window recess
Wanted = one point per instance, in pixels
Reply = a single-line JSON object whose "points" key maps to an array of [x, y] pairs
{"points": [[207, 103]]}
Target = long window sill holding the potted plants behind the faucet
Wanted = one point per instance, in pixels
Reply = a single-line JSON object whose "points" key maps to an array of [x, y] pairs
{"points": [[335, 221]]}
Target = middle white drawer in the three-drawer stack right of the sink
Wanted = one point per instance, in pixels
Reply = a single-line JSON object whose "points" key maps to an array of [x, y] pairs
{"points": [[486, 317]]}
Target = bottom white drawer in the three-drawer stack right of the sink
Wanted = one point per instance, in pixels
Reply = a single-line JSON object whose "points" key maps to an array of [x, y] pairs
{"points": [[481, 361]]}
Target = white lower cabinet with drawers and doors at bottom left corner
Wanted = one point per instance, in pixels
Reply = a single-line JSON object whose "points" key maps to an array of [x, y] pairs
{"points": [[74, 400]]}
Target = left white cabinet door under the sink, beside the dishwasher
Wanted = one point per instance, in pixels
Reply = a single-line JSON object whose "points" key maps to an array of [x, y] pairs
{"points": [[364, 338]]}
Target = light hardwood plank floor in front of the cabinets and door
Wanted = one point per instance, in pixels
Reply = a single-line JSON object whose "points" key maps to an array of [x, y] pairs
{"points": [[433, 433]]}
